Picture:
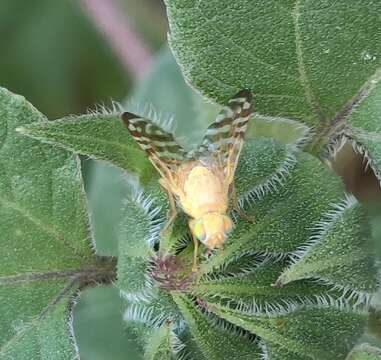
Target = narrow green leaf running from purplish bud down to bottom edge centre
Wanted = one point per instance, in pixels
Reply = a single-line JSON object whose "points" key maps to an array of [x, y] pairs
{"points": [[215, 340]]}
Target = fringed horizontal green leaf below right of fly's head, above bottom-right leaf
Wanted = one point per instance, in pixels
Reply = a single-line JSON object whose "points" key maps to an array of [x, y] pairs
{"points": [[240, 292]]}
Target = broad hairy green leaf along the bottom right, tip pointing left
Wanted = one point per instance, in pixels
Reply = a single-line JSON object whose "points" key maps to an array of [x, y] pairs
{"points": [[317, 332]]}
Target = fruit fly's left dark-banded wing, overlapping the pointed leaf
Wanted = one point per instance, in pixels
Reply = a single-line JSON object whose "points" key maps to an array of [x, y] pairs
{"points": [[162, 149]]}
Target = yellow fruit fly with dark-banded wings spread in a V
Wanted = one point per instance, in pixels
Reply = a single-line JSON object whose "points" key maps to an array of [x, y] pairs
{"points": [[200, 181]]}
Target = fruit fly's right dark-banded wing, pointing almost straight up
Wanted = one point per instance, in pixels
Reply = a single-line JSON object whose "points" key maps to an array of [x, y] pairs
{"points": [[223, 139]]}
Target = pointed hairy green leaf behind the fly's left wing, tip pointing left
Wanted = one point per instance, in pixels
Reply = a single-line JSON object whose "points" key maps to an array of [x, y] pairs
{"points": [[102, 136]]}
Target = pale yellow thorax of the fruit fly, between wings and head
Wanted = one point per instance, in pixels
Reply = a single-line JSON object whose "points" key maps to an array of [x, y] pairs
{"points": [[203, 192]]}
